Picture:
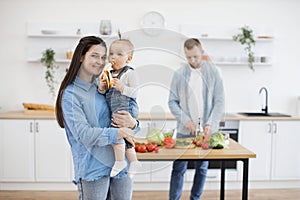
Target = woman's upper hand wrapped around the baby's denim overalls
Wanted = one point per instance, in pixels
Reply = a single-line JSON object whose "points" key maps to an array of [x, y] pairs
{"points": [[123, 119]]}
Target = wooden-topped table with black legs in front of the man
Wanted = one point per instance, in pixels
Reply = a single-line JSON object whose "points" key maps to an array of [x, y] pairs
{"points": [[234, 152]]}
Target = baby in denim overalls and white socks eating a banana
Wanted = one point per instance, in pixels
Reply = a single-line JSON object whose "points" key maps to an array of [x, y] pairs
{"points": [[122, 87]]}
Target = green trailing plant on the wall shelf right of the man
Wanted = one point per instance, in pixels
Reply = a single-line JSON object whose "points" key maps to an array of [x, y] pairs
{"points": [[246, 39]]}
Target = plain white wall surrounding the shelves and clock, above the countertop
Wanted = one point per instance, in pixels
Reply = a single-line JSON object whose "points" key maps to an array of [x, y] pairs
{"points": [[24, 82]]}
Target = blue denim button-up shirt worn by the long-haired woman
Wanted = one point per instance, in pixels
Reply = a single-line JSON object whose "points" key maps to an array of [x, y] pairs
{"points": [[86, 118]]}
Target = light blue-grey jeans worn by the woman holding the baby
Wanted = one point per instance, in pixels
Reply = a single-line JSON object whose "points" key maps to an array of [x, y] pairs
{"points": [[105, 188]]}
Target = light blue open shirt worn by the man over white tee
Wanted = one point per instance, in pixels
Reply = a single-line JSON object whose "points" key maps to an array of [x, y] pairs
{"points": [[213, 96]]}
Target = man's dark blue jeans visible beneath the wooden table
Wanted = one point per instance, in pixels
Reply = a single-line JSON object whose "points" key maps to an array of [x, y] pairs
{"points": [[177, 179]]}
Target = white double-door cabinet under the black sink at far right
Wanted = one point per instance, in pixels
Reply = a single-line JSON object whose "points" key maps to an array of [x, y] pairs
{"points": [[276, 146]]}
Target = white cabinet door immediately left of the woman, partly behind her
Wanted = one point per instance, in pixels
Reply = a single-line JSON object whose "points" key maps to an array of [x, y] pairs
{"points": [[53, 156]]}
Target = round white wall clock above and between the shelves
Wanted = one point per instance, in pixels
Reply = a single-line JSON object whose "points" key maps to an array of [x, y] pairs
{"points": [[152, 23]]}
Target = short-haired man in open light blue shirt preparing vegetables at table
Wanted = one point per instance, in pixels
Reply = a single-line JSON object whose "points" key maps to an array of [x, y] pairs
{"points": [[196, 92]]}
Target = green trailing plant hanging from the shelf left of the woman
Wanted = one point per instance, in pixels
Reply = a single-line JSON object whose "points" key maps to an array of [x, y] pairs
{"points": [[50, 64]]}
